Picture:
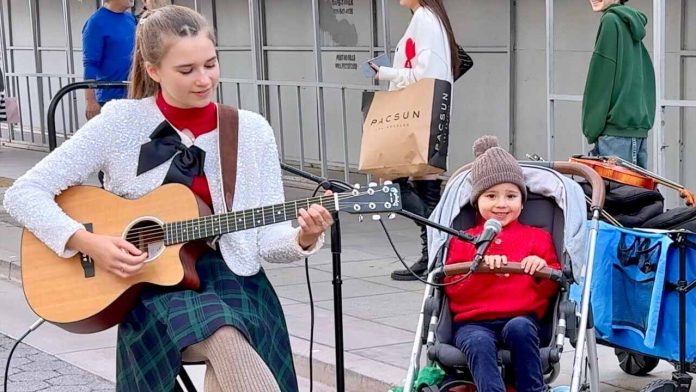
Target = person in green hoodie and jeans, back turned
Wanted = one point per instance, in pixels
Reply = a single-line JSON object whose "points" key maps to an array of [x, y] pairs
{"points": [[618, 107]]}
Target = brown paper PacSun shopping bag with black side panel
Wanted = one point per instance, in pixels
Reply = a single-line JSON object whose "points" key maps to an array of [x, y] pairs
{"points": [[405, 132]]}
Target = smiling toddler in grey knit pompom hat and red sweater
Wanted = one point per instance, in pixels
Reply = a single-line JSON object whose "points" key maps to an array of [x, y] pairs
{"points": [[501, 310]]}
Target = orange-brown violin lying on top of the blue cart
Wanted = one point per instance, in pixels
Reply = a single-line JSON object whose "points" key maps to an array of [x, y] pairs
{"points": [[622, 171]]}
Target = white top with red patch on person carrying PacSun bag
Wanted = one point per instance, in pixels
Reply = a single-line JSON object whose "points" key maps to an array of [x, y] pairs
{"points": [[432, 58]]}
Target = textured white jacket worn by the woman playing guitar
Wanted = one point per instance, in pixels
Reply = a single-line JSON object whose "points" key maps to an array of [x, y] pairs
{"points": [[111, 143]]}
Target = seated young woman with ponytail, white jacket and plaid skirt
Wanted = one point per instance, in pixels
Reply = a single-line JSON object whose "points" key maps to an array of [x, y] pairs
{"points": [[167, 132]]}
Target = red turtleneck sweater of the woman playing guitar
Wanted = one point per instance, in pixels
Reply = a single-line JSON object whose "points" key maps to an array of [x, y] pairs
{"points": [[198, 121]]}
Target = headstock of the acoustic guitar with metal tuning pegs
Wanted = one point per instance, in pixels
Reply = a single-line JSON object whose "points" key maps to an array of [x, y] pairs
{"points": [[372, 199]]}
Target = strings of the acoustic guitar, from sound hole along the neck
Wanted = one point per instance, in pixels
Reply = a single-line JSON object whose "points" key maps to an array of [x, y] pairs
{"points": [[156, 233]]}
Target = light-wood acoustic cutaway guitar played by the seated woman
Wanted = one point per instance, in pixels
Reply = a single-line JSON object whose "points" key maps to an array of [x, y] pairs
{"points": [[171, 224]]}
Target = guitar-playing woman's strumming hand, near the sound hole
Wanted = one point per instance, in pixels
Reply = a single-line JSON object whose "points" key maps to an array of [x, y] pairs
{"points": [[114, 254]]}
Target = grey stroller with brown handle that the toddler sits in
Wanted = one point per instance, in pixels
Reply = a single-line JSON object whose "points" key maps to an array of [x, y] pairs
{"points": [[555, 203]]}
